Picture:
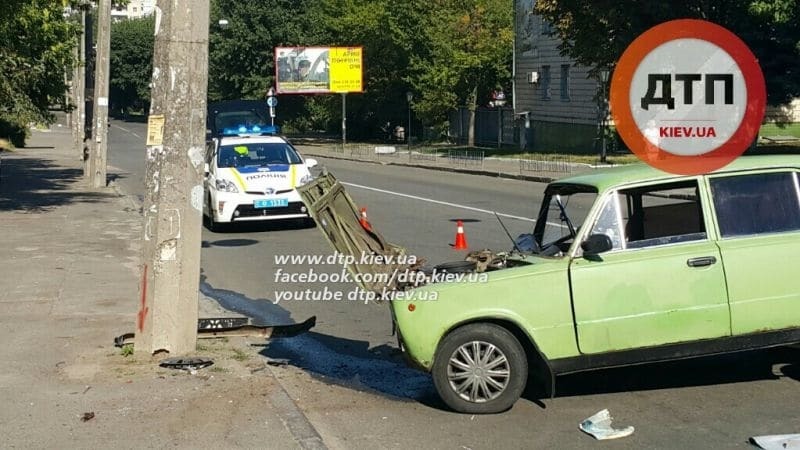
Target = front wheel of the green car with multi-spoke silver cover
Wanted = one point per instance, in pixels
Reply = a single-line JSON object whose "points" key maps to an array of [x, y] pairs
{"points": [[455, 371]]}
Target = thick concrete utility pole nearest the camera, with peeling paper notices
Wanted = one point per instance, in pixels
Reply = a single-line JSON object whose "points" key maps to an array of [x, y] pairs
{"points": [[173, 204]]}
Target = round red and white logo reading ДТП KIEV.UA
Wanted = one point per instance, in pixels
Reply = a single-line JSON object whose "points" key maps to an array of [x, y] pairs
{"points": [[688, 96]]}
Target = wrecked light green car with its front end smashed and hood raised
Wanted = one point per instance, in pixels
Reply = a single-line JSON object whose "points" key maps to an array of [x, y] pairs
{"points": [[624, 266]]}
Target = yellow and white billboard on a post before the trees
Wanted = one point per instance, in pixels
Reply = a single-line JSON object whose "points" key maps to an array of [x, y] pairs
{"points": [[319, 70]]}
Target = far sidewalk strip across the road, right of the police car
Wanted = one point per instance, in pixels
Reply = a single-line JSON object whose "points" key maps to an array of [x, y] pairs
{"points": [[471, 162]]}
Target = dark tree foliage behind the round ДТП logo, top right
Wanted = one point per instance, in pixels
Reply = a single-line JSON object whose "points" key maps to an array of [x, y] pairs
{"points": [[596, 33]]}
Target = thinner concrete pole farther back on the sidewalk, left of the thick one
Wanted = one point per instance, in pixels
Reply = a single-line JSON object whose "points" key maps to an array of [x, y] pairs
{"points": [[99, 148]]}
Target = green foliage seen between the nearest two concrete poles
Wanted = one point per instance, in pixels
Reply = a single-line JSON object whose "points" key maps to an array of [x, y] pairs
{"points": [[131, 64]]}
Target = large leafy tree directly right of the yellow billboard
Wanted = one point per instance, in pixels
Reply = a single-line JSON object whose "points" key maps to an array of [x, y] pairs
{"points": [[445, 52]]}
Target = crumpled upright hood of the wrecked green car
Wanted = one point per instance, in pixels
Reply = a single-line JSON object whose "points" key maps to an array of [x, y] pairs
{"points": [[374, 263]]}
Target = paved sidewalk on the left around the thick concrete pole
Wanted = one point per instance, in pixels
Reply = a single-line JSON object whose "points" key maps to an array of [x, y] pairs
{"points": [[69, 285]]}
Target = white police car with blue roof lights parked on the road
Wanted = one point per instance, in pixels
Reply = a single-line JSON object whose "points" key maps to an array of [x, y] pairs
{"points": [[251, 174]]}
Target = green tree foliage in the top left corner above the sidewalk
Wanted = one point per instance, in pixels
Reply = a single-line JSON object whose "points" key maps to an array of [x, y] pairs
{"points": [[36, 53]]}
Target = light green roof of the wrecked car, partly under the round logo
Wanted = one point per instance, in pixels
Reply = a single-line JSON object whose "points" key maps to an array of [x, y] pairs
{"points": [[606, 178]]}
